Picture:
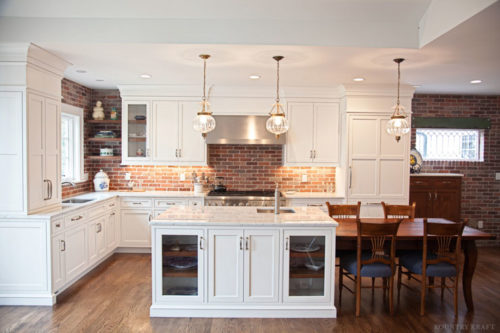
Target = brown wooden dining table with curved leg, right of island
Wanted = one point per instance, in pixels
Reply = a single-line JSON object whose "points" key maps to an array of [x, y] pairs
{"points": [[410, 236]]}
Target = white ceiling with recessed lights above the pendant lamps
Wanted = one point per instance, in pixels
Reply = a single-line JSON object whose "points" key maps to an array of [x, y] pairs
{"points": [[469, 51]]}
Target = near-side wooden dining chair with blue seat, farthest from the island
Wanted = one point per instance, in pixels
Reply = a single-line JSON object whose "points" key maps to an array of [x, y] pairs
{"points": [[440, 258]]}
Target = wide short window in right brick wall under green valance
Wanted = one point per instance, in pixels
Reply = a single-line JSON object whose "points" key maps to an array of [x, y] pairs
{"points": [[450, 144]]}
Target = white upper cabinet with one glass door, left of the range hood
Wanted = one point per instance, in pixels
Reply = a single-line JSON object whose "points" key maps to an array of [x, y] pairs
{"points": [[161, 133]]}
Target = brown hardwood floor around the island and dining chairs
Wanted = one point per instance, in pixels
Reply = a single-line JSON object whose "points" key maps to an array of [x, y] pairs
{"points": [[116, 297]]}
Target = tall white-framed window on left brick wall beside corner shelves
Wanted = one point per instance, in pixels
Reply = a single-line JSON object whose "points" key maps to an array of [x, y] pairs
{"points": [[71, 143]]}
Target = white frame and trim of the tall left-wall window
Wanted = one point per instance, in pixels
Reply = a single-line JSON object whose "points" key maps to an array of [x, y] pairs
{"points": [[76, 114]]}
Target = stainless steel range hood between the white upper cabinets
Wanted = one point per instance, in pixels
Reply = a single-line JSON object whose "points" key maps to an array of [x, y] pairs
{"points": [[242, 130]]}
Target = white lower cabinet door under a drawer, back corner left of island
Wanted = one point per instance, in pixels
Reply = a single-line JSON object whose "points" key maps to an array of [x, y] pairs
{"points": [[135, 227]]}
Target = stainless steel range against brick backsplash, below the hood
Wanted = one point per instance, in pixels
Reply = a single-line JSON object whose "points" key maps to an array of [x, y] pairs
{"points": [[242, 198]]}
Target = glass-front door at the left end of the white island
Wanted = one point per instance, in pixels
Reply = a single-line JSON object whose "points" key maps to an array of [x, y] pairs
{"points": [[180, 263]]}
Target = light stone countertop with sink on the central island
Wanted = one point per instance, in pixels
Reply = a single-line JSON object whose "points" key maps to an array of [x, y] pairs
{"points": [[239, 216]]}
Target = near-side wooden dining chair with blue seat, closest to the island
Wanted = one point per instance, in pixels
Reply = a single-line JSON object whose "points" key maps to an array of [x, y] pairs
{"points": [[378, 262]]}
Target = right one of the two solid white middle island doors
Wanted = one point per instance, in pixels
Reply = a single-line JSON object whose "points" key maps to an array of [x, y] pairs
{"points": [[262, 260]]}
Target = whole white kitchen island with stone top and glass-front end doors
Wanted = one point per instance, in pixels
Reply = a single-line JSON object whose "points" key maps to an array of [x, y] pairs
{"points": [[243, 262]]}
